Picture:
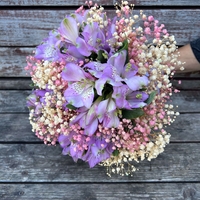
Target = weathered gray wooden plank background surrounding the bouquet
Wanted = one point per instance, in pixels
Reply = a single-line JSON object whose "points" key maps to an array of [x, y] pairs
{"points": [[29, 170]]}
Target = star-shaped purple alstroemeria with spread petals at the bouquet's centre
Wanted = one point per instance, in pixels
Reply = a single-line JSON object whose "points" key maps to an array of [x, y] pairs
{"points": [[116, 73]]}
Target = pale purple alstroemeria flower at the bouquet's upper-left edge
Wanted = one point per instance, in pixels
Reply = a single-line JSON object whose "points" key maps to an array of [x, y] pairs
{"points": [[50, 50]]}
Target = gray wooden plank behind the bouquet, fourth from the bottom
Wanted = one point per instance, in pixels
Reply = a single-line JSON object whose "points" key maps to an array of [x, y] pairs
{"points": [[15, 101]]}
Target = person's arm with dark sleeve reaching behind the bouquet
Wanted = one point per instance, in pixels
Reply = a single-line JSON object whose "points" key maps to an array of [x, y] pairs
{"points": [[190, 55]]}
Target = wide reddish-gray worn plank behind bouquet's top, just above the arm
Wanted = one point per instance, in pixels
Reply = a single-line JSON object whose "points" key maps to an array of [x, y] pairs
{"points": [[29, 27]]}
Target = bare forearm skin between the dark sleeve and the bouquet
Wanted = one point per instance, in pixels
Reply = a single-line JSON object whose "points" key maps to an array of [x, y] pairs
{"points": [[191, 64]]}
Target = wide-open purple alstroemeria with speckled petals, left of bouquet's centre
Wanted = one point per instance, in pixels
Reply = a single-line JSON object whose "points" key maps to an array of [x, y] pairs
{"points": [[80, 91]]}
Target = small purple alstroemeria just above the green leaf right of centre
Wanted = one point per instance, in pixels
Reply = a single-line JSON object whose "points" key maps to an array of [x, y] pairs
{"points": [[128, 99]]}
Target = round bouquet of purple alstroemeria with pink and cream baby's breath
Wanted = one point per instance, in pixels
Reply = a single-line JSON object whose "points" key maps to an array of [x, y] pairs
{"points": [[101, 87]]}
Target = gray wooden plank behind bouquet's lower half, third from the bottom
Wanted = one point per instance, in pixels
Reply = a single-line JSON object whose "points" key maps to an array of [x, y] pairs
{"points": [[16, 128]]}
